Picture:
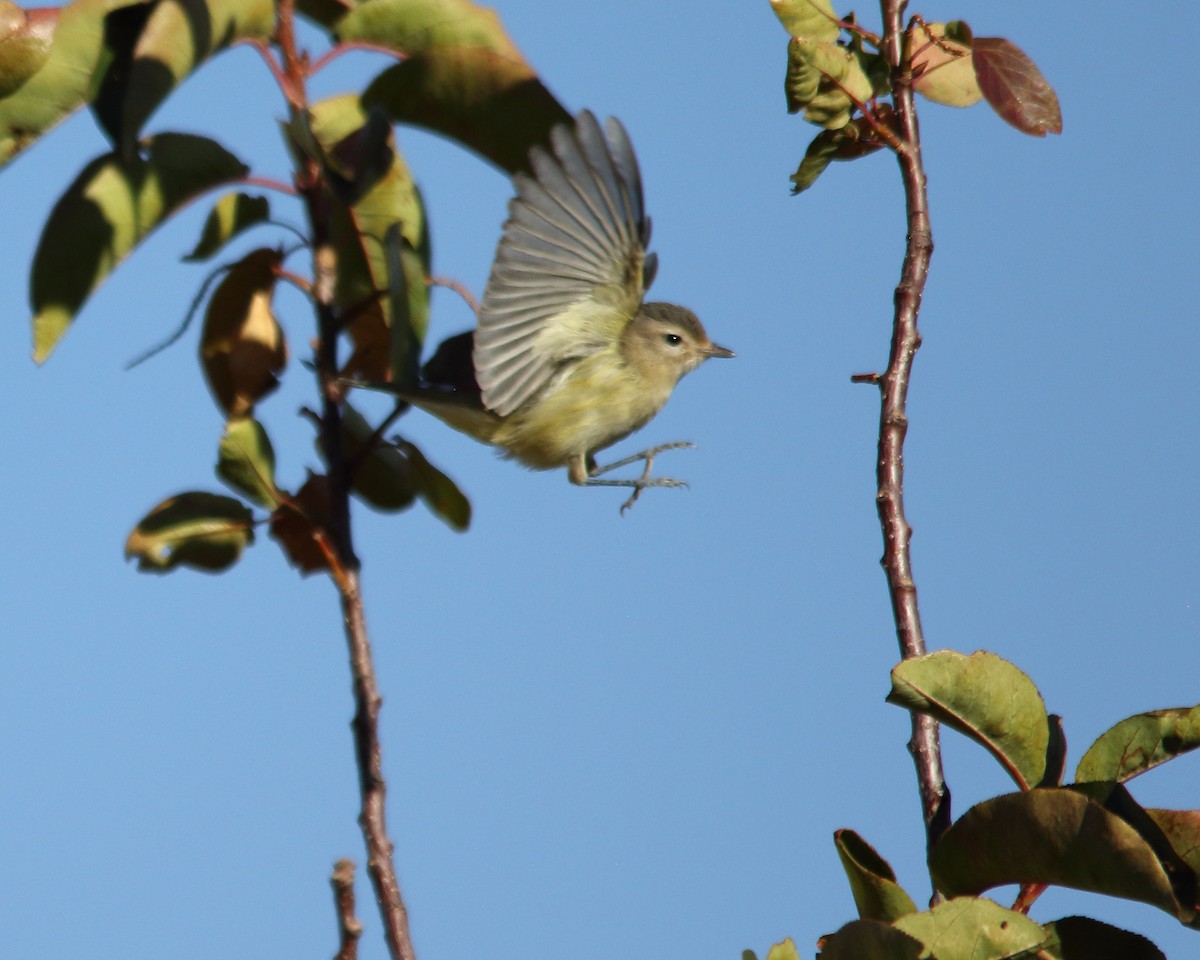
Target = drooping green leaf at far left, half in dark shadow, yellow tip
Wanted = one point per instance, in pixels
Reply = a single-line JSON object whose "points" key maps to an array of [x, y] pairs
{"points": [[106, 213]]}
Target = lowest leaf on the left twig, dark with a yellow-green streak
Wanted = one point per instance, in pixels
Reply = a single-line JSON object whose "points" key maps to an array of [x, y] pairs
{"points": [[203, 531]]}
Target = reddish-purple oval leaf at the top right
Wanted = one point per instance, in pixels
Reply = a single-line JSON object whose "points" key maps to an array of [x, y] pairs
{"points": [[1015, 87]]}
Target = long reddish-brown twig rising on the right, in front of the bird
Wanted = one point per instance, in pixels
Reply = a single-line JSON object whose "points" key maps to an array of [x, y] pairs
{"points": [[925, 746]]}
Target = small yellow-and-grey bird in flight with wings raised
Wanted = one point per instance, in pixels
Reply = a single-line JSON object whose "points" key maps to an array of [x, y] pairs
{"points": [[567, 358]]}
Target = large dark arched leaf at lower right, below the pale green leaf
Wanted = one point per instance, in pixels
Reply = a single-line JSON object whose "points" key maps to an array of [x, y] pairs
{"points": [[1051, 836]]}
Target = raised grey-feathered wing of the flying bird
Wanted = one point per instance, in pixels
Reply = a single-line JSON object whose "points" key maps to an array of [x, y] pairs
{"points": [[572, 266]]}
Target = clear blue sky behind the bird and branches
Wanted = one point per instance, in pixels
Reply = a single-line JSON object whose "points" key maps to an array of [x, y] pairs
{"points": [[623, 737]]}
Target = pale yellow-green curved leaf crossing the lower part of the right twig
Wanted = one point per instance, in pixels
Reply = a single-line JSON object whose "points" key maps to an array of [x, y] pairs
{"points": [[987, 699]]}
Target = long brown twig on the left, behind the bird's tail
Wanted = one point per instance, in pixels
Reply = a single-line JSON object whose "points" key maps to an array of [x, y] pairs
{"points": [[345, 567]]}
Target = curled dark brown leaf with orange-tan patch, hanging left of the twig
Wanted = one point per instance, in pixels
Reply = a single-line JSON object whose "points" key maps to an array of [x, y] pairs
{"points": [[243, 347]]}
